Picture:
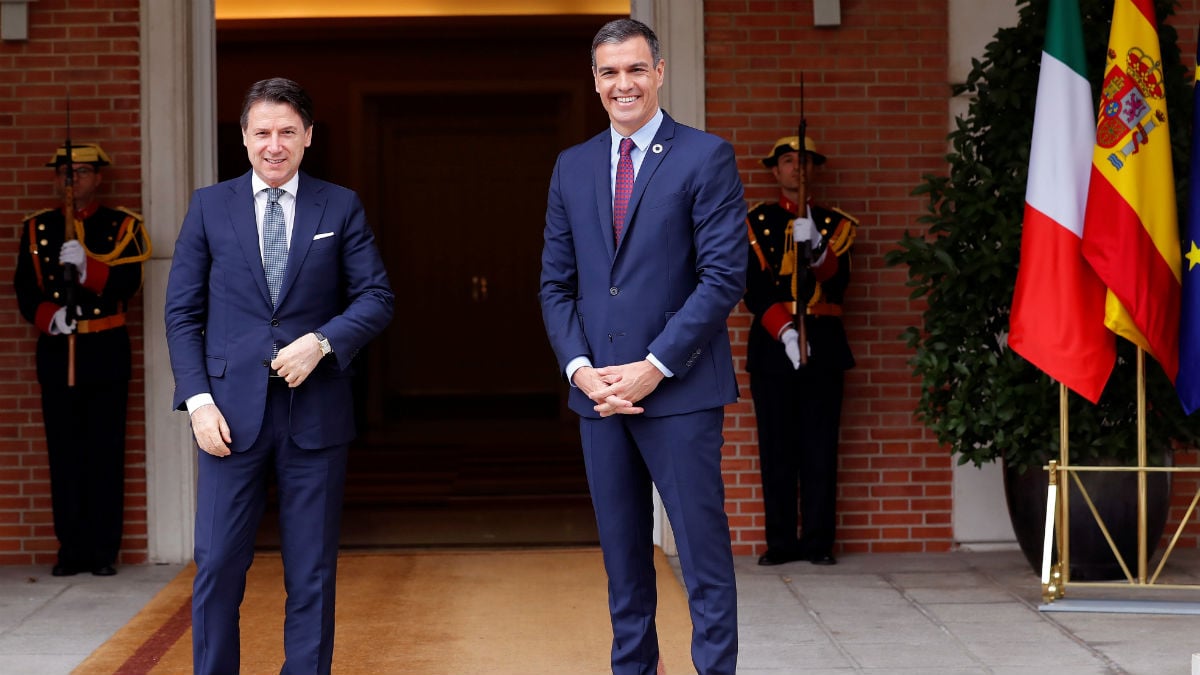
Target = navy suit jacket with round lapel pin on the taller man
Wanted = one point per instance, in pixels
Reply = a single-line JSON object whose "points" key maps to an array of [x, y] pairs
{"points": [[669, 289]]}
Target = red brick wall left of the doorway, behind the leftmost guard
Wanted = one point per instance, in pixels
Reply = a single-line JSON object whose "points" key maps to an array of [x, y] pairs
{"points": [[88, 49]]}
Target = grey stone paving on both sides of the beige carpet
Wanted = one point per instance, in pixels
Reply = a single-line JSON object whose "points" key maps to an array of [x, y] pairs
{"points": [[931, 614]]}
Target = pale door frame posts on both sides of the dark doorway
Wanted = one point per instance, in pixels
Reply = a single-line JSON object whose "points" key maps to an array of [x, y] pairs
{"points": [[178, 67]]}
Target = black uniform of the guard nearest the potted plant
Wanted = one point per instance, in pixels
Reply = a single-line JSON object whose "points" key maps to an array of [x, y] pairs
{"points": [[799, 411]]}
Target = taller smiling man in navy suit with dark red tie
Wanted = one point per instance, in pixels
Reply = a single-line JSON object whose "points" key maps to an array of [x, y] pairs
{"points": [[637, 310]]}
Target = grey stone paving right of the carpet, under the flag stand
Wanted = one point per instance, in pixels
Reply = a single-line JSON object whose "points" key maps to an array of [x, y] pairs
{"points": [[946, 614]]}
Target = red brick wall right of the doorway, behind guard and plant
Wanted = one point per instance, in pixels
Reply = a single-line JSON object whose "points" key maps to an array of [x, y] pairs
{"points": [[877, 100]]}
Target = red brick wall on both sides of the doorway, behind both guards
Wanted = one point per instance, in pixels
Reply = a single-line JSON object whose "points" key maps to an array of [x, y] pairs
{"points": [[877, 100]]}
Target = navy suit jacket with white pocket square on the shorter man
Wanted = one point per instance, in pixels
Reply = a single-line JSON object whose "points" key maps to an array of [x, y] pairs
{"points": [[221, 325]]}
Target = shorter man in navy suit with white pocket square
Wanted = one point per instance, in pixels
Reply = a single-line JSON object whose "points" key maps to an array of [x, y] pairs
{"points": [[263, 368]]}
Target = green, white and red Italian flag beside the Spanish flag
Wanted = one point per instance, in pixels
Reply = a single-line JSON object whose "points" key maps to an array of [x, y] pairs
{"points": [[1058, 319]]}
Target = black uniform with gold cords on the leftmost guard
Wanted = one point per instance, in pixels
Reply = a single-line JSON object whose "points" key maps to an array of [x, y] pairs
{"points": [[86, 423]]}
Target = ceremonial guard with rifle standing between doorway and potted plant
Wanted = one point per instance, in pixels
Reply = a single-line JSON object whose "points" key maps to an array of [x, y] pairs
{"points": [[797, 368]]}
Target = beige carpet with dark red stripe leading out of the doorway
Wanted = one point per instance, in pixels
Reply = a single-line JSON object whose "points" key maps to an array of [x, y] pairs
{"points": [[429, 613]]}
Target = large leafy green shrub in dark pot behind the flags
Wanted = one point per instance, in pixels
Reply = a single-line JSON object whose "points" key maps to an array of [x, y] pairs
{"points": [[981, 399]]}
